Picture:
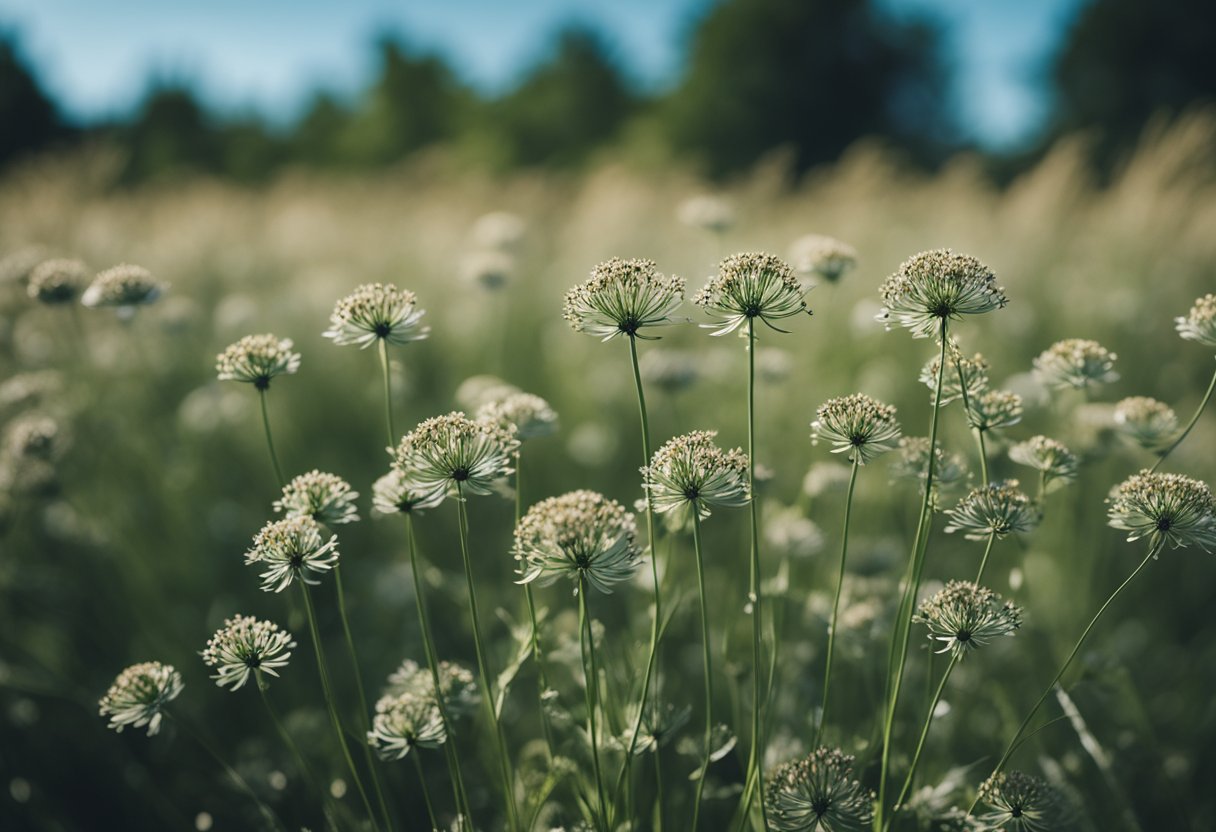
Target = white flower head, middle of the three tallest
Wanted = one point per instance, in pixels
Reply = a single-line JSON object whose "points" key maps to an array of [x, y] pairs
{"points": [[752, 286]]}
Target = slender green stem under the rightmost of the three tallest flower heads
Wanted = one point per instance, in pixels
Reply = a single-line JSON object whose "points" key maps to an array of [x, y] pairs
{"points": [[904, 623]]}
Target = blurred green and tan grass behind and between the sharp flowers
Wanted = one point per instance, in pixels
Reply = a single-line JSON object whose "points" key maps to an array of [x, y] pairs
{"points": [[128, 544]]}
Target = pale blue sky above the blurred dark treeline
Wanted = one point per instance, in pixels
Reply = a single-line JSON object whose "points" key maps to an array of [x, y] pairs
{"points": [[97, 58]]}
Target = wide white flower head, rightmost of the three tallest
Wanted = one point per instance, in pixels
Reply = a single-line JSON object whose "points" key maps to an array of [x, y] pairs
{"points": [[933, 288]]}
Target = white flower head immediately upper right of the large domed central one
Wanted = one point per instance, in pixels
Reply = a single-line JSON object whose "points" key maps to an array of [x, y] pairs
{"points": [[693, 473]]}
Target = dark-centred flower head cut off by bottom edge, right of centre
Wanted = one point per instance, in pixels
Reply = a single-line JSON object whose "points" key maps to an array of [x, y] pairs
{"points": [[819, 794]]}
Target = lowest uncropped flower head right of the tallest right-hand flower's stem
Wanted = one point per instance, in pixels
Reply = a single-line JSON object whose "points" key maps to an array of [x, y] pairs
{"points": [[965, 617]]}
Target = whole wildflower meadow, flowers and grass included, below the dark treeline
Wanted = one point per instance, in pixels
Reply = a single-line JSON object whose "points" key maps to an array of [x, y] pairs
{"points": [[346, 498]]}
